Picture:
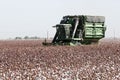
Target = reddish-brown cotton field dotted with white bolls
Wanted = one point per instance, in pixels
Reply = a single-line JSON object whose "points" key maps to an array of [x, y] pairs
{"points": [[30, 60]]}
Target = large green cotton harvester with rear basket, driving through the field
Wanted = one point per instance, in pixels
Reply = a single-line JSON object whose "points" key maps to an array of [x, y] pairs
{"points": [[81, 29]]}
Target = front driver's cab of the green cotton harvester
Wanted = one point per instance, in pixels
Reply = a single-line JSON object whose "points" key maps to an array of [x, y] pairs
{"points": [[63, 33]]}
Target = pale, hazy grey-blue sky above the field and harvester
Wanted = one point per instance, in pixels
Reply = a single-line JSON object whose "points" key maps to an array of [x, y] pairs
{"points": [[36, 17]]}
